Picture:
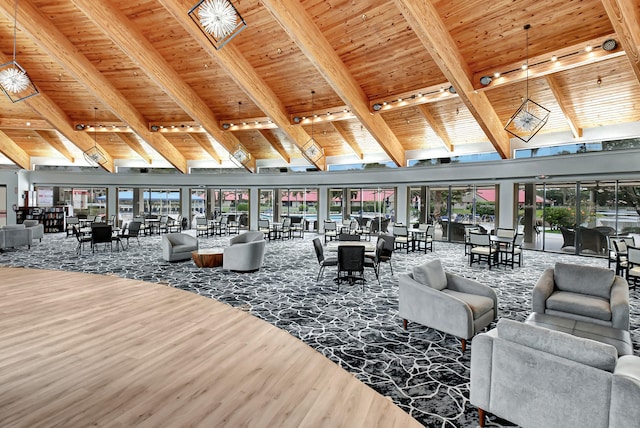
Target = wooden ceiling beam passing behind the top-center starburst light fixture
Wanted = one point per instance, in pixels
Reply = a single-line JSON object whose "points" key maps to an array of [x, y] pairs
{"points": [[246, 77]]}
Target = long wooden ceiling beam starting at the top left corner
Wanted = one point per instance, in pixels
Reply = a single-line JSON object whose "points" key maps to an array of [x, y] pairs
{"points": [[51, 40]]}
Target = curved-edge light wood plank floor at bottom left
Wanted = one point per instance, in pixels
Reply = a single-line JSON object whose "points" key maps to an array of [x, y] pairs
{"points": [[80, 350]]}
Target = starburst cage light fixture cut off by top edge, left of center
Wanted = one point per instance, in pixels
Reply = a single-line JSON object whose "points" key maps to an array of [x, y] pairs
{"points": [[219, 20]]}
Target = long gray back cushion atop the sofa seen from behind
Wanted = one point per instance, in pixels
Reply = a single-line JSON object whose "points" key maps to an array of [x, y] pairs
{"points": [[564, 345]]}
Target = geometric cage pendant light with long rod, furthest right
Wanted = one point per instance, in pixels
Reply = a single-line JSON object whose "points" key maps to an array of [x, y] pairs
{"points": [[530, 116]]}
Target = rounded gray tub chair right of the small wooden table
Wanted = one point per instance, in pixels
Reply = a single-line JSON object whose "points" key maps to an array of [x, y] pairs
{"points": [[245, 252]]}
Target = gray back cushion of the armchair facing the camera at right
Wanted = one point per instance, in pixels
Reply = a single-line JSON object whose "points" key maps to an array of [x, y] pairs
{"points": [[583, 279]]}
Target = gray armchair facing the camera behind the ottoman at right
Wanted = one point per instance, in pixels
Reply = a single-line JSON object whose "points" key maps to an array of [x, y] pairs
{"points": [[583, 293]]}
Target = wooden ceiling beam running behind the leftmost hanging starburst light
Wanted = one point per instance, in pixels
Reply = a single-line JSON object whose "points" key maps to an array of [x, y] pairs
{"points": [[43, 106]]}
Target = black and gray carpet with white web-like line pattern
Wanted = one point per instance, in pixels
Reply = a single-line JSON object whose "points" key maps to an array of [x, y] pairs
{"points": [[422, 370]]}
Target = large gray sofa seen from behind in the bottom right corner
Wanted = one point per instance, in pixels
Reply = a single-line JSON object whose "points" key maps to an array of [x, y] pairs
{"points": [[536, 377]]}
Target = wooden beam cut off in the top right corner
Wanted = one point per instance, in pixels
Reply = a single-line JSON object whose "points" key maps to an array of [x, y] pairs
{"points": [[625, 18]]}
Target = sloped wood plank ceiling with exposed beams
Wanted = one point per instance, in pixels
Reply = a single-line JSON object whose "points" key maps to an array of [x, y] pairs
{"points": [[164, 95]]}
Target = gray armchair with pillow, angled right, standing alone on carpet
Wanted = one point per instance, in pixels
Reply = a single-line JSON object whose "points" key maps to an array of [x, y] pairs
{"points": [[447, 302]]}
